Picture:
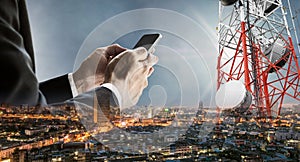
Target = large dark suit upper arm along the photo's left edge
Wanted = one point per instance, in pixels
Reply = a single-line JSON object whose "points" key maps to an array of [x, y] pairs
{"points": [[18, 83]]}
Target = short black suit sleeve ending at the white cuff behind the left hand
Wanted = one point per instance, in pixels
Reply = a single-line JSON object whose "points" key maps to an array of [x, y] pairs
{"points": [[56, 89]]}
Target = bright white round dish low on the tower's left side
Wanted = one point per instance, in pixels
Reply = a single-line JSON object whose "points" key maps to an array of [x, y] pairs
{"points": [[234, 96]]}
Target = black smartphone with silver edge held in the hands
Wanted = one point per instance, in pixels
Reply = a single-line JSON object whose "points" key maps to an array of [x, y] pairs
{"points": [[149, 41]]}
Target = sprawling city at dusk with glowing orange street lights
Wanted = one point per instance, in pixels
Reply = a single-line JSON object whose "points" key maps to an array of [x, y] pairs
{"points": [[150, 134]]}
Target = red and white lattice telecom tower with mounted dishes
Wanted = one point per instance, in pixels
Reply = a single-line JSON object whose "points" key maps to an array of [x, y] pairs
{"points": [[256, 49]]}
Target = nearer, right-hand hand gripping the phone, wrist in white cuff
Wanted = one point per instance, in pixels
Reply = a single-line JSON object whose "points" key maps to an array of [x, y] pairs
{"points": [[129, 72]]}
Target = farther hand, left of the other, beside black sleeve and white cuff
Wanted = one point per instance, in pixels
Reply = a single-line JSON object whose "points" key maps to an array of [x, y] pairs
{"points": [[92, 70]]}
